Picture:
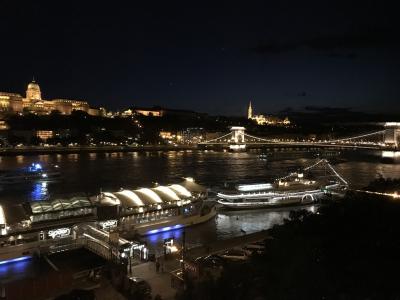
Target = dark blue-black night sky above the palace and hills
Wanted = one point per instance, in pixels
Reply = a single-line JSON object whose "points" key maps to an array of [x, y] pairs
{"points": [[203, 56]]}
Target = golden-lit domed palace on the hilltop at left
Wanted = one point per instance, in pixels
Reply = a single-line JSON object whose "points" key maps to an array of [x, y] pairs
{"points": [[33, 102]]}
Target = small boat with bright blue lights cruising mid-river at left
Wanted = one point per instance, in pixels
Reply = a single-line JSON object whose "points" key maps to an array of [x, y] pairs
{"points": [[34, 172]]}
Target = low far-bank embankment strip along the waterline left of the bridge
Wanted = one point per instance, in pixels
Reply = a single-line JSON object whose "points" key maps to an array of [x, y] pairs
{"points": [[34, 150]]}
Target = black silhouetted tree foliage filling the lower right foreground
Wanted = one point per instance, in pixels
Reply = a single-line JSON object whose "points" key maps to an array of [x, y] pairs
{"points": [[350, 250]]}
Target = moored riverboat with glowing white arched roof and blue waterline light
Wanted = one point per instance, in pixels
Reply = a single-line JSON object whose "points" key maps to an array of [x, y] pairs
{"points": [[149, 211]]}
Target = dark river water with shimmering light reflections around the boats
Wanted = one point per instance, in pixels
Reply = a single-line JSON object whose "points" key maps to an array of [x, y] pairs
{"points": [[92, 172]]}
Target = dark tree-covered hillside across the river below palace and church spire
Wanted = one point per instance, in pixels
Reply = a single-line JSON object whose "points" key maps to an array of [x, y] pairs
{"points": [[146, 129]]}
